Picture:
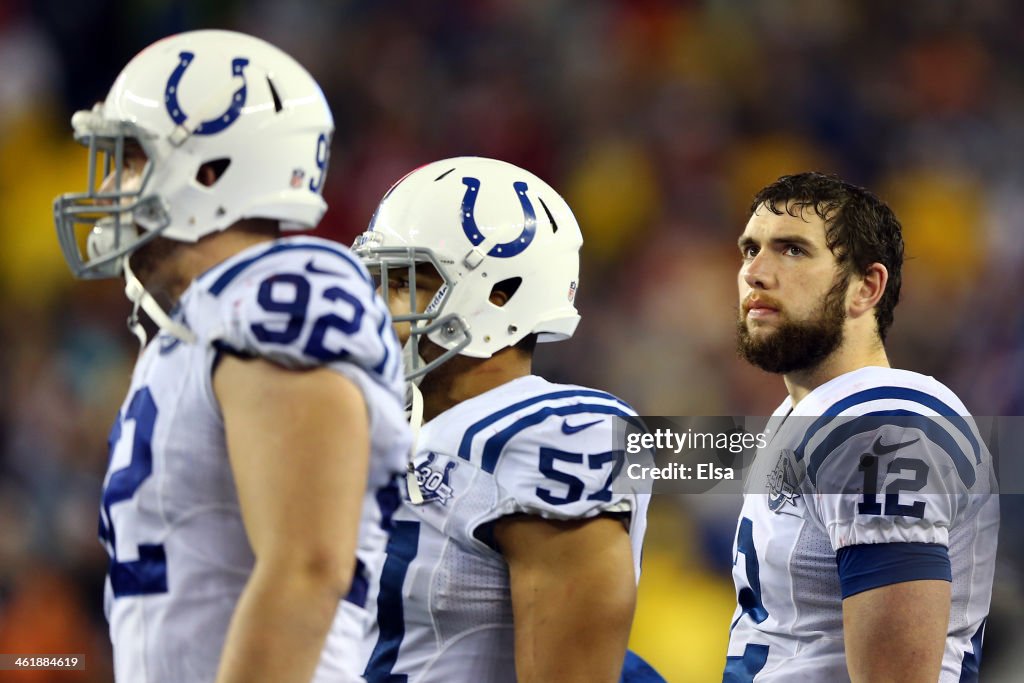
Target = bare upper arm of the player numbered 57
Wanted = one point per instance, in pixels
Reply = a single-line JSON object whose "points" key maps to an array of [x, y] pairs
{"points": [[574, 593]]}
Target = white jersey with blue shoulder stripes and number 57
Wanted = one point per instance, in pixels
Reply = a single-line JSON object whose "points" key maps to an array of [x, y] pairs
{"points": [[527, 447]]}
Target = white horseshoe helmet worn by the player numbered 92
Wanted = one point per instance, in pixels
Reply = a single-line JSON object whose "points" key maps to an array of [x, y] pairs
{"points": [[216, 98]]}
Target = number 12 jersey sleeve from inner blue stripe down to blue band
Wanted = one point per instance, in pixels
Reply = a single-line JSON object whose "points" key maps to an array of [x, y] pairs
{"points": [[888, 489]]}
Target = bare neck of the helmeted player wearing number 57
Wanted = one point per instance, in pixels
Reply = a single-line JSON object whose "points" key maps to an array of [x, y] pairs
{"points": [[463, 378]]}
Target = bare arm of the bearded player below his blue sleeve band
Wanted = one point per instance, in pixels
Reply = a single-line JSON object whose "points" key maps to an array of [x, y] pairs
{"points": [[898, 632]]}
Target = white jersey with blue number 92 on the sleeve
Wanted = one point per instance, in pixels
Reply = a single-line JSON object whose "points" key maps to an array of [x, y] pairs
{"points": [[169, 516]]}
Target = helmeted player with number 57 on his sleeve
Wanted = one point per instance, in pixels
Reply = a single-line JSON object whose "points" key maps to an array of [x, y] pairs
{"points": [[516, 553]]}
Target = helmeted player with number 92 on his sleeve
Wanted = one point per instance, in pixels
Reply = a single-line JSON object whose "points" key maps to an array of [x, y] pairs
{"points": [[267, 417]]}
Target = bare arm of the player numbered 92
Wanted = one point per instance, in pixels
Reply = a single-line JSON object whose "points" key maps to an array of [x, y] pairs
{"points": [[298, 444]]}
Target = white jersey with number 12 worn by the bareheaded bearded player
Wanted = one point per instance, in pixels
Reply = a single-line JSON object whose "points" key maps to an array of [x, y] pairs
{"points": [[877, 478]]}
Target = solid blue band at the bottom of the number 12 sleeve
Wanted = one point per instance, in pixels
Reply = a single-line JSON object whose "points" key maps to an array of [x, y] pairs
{"points": [[868, 567]]}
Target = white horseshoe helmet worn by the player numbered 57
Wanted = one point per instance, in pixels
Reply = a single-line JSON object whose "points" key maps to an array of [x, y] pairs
{"points": [[483, 225]]}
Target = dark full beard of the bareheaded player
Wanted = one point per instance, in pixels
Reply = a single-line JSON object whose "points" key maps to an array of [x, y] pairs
{"points": [[797, 346]]}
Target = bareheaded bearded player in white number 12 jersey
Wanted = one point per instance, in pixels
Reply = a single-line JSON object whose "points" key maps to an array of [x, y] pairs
{"points": [[867, 541]]}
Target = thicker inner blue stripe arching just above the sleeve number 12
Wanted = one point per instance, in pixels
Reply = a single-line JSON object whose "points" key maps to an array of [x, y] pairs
{"points": [[874, 421]]}
